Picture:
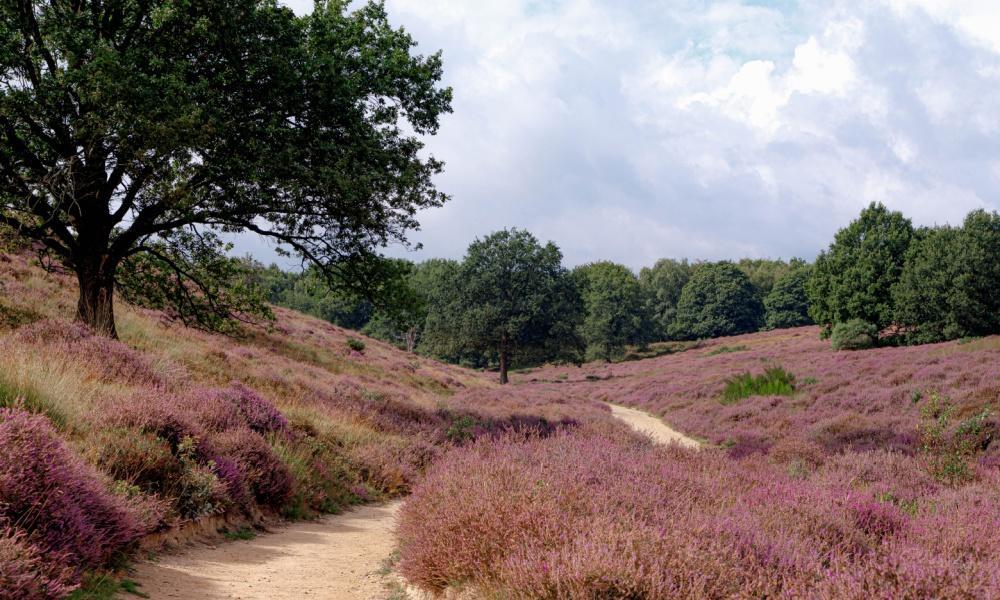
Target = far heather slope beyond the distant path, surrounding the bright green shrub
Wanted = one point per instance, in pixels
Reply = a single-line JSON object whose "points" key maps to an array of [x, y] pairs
{"points": [[843, 400]]}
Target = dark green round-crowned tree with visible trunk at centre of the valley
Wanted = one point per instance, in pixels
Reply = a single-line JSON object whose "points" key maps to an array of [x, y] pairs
{"points": [[513, 296]]}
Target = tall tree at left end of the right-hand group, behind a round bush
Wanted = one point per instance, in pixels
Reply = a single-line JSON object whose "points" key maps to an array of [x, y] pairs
{"points": [[853, 279]]}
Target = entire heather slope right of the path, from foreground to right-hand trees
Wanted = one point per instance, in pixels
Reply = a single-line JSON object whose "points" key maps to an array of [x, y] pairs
{"points": [[822, 474]]}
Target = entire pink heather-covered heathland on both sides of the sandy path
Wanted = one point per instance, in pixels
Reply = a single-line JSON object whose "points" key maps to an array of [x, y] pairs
{"points": [[860, 471]]}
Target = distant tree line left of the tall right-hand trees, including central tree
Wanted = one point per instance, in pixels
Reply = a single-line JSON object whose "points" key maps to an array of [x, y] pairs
{"points": [[511, 303]]}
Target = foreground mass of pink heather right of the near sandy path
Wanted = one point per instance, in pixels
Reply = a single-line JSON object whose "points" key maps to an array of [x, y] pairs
{"points": [[588, 515]]}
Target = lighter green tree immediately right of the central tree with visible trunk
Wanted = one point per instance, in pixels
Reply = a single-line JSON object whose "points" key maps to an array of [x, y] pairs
{"points": [[615, 309]]}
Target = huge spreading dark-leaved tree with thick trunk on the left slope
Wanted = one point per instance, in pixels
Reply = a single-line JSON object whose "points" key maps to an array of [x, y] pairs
{"points": [[133, 131]]}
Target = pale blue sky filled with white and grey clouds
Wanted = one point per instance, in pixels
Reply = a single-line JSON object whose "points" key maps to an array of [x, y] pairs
{"points": [[633, 130]]}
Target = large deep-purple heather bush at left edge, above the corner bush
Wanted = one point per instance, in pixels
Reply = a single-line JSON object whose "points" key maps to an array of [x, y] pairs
{"points": [[61, 502]]}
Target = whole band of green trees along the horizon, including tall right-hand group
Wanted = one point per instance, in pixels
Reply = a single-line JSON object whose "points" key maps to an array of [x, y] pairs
{"points": [[511, 303]]}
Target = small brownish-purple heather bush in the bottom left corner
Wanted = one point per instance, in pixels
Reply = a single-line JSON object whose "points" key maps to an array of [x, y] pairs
{"points": [[26, 573]]}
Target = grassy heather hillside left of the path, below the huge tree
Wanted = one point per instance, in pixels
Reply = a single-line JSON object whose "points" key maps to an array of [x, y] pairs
{"points": [[170, 424]]}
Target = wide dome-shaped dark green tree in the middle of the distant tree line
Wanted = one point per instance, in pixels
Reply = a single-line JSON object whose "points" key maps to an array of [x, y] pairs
{"points": [[719, 300]]}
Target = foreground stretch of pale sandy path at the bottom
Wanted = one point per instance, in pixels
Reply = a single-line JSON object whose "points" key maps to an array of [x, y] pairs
{"points": [[331, 559]]}
